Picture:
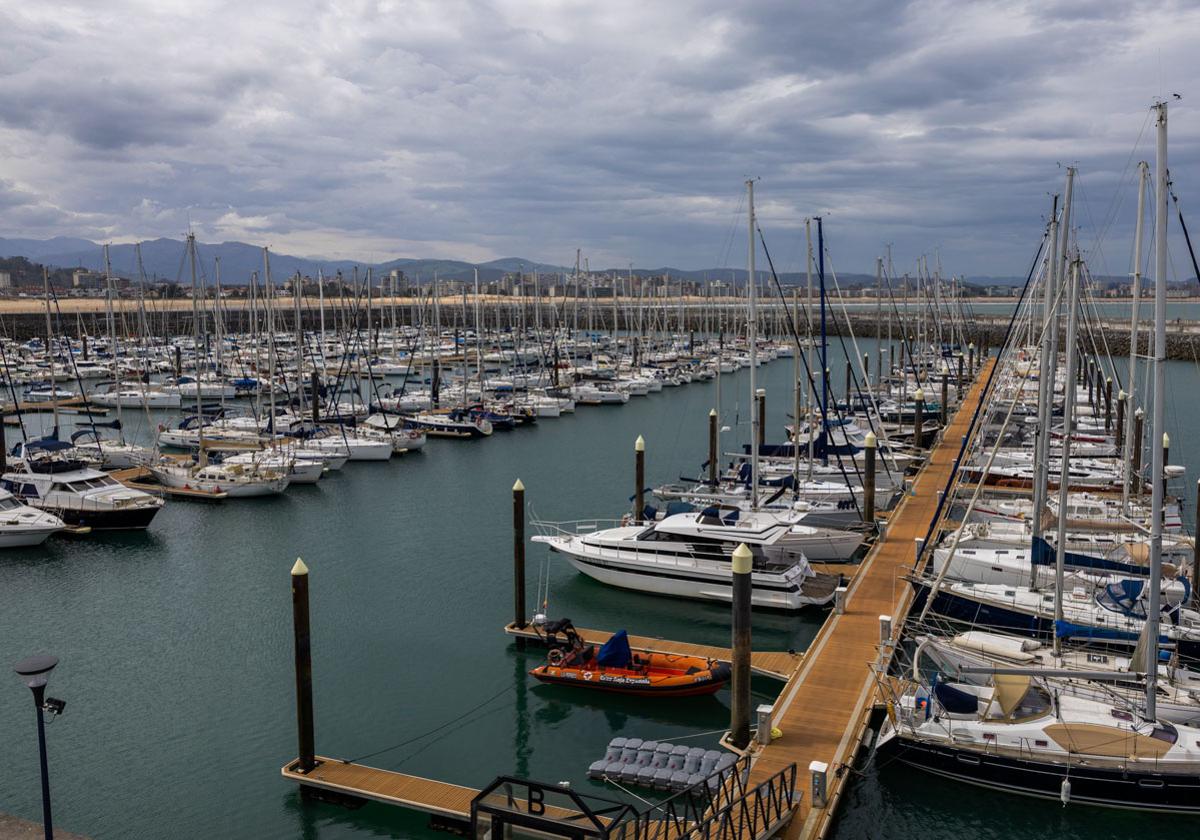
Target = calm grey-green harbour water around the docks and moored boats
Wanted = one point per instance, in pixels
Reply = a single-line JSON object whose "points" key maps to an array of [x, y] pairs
{"points": [[176, 645]]}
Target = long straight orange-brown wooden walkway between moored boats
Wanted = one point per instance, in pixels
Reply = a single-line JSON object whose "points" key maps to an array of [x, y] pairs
{"points": [[825, 710]]}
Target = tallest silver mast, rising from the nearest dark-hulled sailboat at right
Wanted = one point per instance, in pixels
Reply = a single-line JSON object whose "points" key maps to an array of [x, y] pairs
{"points": [[1157, 479]]}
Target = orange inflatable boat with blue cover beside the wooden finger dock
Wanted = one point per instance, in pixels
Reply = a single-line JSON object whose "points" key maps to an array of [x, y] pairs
{"points": [[616, 668]]}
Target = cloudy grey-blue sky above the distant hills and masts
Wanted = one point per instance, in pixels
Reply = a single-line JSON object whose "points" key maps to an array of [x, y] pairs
{"points": [[520, 128]]}
